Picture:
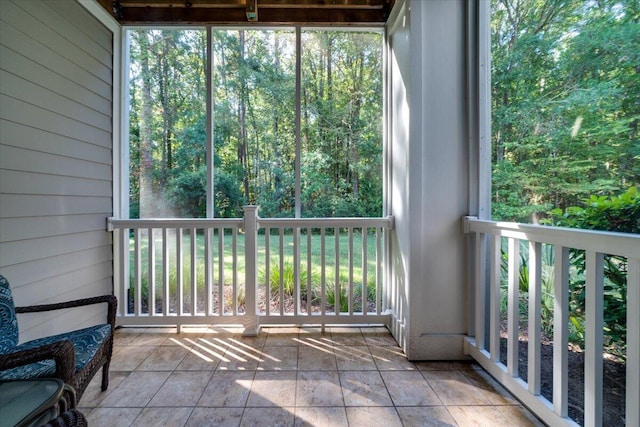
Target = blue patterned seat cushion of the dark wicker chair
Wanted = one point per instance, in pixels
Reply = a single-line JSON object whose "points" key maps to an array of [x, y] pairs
{"points": [[86, 342]]}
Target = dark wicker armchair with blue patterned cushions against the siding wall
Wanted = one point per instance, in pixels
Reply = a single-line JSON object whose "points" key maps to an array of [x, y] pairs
{"points": [[74, 357]]}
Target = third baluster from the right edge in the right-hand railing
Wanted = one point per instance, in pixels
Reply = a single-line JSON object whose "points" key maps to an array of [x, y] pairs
{"points": [[560, 330]]}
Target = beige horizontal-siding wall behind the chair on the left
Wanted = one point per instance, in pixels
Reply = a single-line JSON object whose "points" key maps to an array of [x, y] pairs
{"points": [[55, 158]]}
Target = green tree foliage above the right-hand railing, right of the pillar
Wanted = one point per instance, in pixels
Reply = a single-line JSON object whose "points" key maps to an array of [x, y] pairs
{"points": [[565, 103]]}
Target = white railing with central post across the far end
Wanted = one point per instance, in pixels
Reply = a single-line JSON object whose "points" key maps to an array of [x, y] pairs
{"points": [[250, 271]]}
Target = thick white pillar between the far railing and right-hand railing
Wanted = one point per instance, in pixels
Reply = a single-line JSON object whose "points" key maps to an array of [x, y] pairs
{"points": [[430, 176]]}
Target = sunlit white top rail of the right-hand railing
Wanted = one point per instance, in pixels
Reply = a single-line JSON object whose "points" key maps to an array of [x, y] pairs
{"points": [[623, 244]]}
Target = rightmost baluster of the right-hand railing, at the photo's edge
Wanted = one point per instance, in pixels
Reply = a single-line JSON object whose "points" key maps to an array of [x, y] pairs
{"points": [[632, 413]]}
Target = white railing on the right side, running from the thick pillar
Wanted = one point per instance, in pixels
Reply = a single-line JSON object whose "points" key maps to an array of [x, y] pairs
{"points": [[497, 247]]}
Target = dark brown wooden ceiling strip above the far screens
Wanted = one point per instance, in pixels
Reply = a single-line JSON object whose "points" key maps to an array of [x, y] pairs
{"points": [[250, 12]]}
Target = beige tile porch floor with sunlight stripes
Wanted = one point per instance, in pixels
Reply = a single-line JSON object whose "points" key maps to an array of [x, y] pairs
{"points": [[290, 377]]}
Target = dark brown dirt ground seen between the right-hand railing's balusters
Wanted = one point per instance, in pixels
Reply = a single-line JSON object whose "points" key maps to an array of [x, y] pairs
{"points": [[614, 379]]}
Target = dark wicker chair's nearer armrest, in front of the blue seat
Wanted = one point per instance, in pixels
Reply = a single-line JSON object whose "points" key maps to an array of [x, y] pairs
{"points": [[62, 352]]}
